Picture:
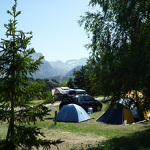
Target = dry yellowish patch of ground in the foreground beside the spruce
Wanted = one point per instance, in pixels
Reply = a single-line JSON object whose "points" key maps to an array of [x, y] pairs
{"points": [[74, 141]]}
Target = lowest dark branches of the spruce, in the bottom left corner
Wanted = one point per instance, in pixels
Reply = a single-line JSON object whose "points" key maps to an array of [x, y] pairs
{"points": [[25, 137]]}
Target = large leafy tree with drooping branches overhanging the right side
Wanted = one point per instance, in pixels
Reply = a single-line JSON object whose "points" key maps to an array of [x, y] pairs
{"points": [[120, 35]]}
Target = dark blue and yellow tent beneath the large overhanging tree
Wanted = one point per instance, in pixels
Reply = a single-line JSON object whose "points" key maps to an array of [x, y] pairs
{"points": [[134, 107]]}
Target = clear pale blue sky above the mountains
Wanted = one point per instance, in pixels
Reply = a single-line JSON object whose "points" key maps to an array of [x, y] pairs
{"points": [[56, 33]]}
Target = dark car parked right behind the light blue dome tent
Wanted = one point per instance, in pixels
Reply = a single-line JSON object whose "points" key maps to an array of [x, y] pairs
{"points": [[84, 100]]}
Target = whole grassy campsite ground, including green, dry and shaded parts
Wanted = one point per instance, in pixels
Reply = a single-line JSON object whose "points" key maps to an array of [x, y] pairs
{"points": [[91, 135]]}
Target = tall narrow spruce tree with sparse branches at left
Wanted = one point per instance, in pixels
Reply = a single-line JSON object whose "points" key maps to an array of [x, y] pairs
{"points": [[16, 90]]}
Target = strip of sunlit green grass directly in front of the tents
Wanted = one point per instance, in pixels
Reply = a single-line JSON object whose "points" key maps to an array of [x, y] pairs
{"points": [[91, 126]]}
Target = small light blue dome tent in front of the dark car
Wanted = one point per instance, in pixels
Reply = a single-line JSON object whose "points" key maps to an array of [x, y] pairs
{"points": [[72, 113]]}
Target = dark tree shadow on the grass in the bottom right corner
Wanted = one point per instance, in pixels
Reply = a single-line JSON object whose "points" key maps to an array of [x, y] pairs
{"points": [[136, 141]]}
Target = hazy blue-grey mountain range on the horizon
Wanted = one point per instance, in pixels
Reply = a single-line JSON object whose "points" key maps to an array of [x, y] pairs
{"points": [[52, 69]]}
